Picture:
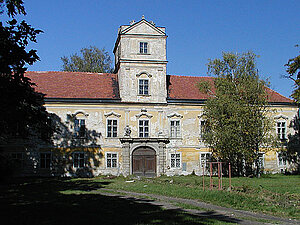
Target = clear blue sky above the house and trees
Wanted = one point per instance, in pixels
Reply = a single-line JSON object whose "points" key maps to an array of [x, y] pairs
{"points": [[197, 31]]}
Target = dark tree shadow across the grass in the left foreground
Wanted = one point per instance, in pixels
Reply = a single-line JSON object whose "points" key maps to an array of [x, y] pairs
{"points": [[55, 201]]}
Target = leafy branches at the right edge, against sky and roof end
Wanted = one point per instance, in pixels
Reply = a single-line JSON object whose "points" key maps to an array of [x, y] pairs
{"points": [[293, 70]]}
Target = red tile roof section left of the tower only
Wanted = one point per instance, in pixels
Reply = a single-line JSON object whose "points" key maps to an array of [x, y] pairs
{"points": [[75, 84]]}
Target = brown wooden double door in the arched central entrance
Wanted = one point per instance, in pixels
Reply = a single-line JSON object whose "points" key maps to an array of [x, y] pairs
{"points": [[144, 162]]}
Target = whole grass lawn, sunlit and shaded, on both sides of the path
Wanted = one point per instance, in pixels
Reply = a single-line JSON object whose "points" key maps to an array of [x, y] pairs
{"points": [[70, 201]]}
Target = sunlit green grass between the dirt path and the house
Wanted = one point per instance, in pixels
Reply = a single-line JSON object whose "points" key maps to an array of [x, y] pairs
{"points": [[278, 195]]}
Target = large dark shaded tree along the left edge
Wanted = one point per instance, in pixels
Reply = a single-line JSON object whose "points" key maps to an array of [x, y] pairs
{"points": [[22, 111]]}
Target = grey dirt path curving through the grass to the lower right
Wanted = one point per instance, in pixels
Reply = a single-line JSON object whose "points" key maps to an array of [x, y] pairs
{"points": [[233, 215]]}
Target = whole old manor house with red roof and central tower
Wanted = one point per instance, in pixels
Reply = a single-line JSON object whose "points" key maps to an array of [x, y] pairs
{"points": [[137, 120]]}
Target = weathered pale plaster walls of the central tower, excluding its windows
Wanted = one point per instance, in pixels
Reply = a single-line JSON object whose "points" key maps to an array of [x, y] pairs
{"points": [[134, 66]]}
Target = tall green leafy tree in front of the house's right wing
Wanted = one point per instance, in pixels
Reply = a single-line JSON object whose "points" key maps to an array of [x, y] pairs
{"points": [[237, 113]]}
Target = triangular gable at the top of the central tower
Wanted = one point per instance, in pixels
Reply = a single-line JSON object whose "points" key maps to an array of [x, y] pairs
{"points": [[143, 27]]}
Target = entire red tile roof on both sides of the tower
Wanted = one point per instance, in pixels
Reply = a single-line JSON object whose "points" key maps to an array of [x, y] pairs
{"points": [[105, 86]]}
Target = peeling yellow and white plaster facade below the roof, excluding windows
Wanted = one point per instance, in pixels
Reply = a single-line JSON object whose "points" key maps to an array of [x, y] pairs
{"points": [[189, 145]]}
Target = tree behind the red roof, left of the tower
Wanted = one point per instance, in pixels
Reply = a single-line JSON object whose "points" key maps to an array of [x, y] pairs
{"points": [[92, 59]]}
